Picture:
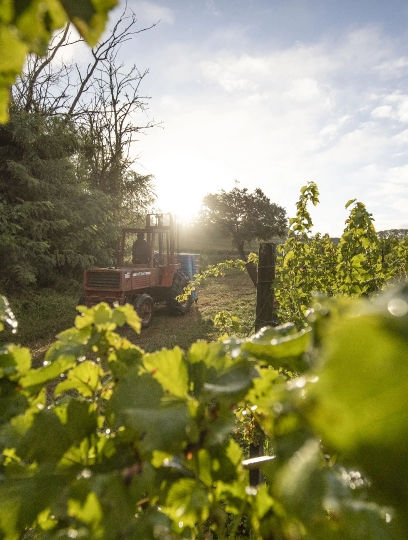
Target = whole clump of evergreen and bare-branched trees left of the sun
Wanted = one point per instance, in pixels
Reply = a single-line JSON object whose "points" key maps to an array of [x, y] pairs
{"points": [[66, 186]]}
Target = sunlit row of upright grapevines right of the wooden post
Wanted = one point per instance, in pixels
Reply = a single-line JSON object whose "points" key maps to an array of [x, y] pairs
{"points": [[359, 265]]}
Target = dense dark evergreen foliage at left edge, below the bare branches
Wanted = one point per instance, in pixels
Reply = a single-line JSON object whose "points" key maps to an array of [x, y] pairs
{"points": [[51, 222]]}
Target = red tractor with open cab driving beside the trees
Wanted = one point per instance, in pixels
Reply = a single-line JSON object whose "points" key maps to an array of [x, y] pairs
{"points": [[156, 277]]}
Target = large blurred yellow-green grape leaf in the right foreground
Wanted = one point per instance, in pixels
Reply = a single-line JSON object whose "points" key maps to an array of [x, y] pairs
{"points": [[360, 395]]}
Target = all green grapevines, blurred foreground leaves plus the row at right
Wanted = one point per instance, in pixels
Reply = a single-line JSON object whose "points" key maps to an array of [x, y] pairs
{"points": [[104, 440]]}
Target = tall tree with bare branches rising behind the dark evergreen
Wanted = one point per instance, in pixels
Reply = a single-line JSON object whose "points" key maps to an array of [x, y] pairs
{"points": [[102, 100]]}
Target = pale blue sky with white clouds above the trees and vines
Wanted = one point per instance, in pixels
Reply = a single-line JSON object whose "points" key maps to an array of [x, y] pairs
{"points": [[273, 94]]}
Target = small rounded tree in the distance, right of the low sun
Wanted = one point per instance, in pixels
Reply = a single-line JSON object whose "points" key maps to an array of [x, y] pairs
{"points": [[244, 216]]}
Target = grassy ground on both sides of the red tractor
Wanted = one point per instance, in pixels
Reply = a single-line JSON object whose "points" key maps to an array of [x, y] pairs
{"points": [[43, 314]]}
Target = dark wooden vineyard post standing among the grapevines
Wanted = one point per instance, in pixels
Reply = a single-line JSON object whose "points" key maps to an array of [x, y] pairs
{"points": [[265, 316]]}
